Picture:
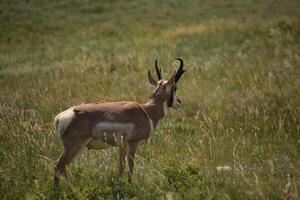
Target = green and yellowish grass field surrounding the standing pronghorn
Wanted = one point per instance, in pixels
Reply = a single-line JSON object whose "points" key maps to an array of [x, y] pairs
{"points": [[241, 96]]}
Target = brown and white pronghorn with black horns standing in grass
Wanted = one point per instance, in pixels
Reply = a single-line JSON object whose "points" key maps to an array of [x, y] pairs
{"points": [[124, 124]]}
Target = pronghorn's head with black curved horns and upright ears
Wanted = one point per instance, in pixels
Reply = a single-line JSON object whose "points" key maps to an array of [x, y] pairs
{"points": [[165, 91]]}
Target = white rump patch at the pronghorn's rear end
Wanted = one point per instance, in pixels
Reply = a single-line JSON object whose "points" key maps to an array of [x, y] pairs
{"points": [[62, 120]]}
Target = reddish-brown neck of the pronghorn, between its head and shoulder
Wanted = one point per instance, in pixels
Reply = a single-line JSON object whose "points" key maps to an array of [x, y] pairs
{"points": [[155, 109]]}
